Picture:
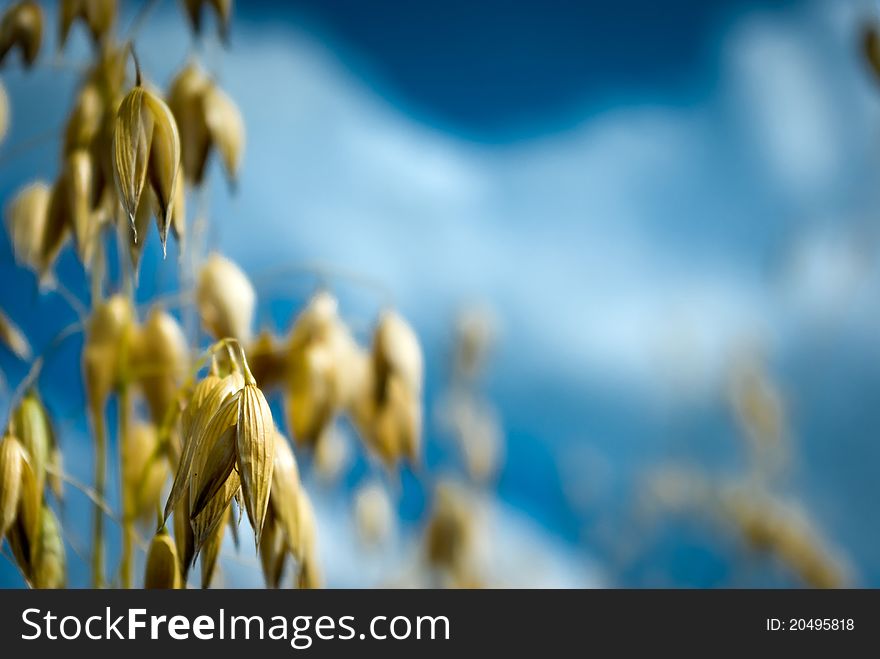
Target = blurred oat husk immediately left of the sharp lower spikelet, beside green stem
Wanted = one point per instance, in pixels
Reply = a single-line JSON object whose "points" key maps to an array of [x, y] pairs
{"points": [[144, 470]]}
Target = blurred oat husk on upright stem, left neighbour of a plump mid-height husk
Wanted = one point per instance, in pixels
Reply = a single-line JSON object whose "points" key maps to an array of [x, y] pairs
{"points": [[107, 337]]}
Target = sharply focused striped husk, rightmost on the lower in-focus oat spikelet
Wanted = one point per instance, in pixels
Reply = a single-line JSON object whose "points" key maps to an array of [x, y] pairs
{"points": [[255, 448]]}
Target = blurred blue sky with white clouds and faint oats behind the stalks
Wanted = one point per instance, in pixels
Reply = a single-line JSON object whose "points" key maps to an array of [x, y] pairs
{"points": [[661, 219]]}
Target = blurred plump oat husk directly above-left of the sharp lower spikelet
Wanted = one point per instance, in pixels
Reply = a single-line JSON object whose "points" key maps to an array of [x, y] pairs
{"points": [[160, 357]]}
